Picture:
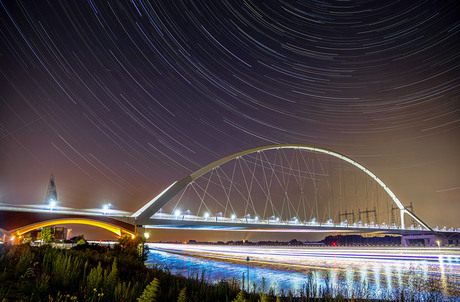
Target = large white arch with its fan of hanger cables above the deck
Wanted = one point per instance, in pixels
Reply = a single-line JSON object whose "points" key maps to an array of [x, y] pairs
{"points": [[288, 183]]}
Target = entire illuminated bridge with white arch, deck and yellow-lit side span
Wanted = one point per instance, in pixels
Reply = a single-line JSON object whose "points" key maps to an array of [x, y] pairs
{"points": [[273, 188]]}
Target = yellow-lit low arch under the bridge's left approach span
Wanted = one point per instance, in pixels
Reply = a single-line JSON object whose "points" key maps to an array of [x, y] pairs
{"points": [[104, 225]]}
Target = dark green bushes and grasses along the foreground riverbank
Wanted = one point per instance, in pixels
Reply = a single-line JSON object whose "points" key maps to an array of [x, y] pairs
{"points": [[97, 273]]}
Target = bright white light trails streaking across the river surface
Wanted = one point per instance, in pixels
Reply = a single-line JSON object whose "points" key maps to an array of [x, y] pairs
{"points": [[387, 270]]}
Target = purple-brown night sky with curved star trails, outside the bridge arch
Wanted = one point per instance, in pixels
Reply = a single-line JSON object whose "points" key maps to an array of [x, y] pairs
{"points": [[120, 99]]}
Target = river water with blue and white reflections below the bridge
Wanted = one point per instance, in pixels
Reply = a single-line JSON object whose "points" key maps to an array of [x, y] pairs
{"points": [[282, 272]]}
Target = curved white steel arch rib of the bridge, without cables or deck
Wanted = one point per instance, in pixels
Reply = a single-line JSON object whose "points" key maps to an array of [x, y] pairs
{"points": [[144, 213]]}
